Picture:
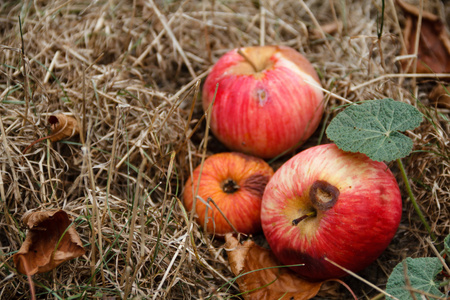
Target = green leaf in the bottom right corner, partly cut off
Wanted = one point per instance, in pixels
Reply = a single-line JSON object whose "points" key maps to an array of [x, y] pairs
{"points": [[421, 273]]}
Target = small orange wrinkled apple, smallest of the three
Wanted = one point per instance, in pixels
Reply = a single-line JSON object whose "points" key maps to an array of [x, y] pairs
{"points": [[236, 183]]}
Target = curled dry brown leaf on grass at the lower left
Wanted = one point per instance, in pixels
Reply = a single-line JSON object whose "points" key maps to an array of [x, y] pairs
{"points": [[43, 248]]}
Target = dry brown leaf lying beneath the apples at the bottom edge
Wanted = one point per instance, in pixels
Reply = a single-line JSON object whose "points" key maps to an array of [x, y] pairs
{"points": [[267, 284]]}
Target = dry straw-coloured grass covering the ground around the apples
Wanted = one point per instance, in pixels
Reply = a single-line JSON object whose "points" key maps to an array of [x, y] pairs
{"points": [[128, 71]]}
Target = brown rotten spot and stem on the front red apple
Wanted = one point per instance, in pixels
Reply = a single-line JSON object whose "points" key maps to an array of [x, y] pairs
{"points": [[322, 197]]}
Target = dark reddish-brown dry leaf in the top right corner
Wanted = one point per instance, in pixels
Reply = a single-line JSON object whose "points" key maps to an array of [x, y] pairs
{"points": [[434, 44]]}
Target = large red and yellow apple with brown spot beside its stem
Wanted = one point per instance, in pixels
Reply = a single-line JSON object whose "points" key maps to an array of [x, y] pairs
{"points": [[354, 205]]}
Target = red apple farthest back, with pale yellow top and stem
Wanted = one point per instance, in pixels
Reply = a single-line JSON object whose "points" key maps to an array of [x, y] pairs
{"points": [[267, 111]]}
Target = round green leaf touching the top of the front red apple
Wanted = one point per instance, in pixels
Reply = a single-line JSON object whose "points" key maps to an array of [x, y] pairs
{"points": [[373, 128]]}
